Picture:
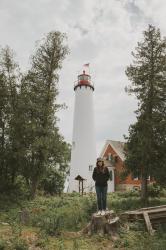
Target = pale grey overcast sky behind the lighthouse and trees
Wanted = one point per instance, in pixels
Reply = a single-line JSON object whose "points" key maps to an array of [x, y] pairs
{"points": [[100, 32]]}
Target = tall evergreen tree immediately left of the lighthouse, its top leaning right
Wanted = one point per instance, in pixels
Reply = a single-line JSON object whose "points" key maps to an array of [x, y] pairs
{"points": [[41, 141]]}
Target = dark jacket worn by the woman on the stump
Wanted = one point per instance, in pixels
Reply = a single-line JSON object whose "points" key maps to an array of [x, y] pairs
{"points": [[100, 178]]}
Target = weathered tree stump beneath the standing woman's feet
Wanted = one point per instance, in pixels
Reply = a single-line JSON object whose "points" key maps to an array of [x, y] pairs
{"points": [[102, 224]]}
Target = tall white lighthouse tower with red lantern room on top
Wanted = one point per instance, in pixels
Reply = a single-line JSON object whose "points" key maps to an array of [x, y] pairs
{"points": [[83, 155]]}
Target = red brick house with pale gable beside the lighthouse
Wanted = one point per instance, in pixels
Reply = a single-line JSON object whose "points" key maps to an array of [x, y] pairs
{"points": [[113, 155]]}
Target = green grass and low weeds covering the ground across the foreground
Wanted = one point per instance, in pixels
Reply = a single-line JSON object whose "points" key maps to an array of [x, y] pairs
{"points": [[54, 222]]}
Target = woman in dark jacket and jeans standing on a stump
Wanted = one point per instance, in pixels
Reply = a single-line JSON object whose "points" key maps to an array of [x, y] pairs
{"points": [[101, 176]]}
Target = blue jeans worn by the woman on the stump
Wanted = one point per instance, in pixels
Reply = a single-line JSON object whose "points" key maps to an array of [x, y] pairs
{"points": [[101, 193]]}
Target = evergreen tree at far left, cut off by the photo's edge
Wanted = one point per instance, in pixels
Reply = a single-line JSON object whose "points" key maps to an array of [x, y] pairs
{"points": [[9, 84]]}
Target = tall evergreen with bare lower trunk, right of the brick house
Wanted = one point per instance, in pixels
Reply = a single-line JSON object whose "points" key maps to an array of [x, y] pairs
{"points": [[146, 143]]}
